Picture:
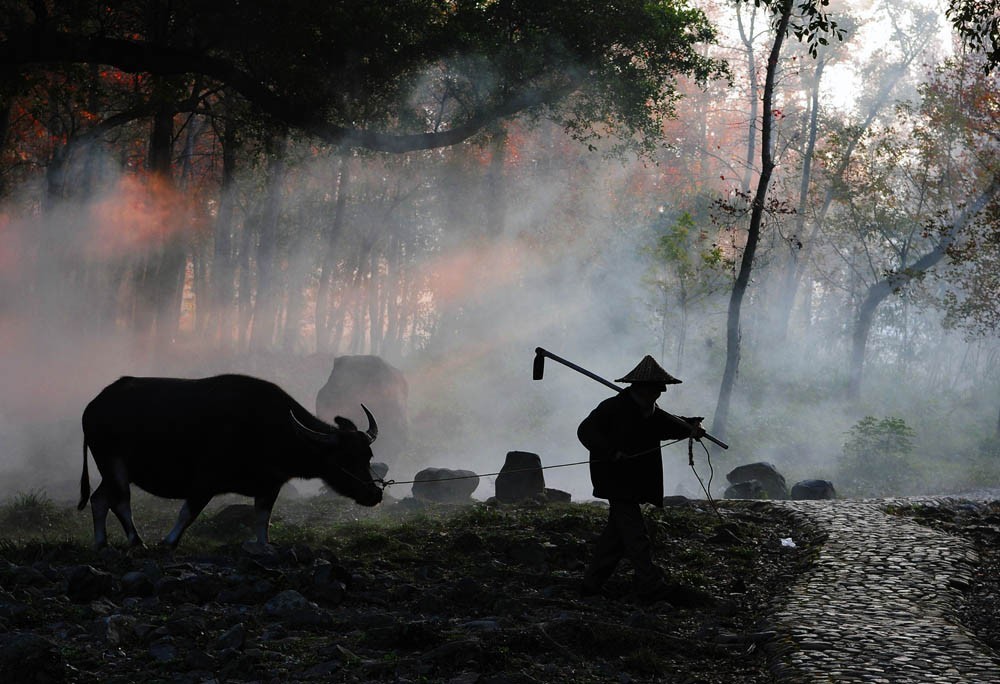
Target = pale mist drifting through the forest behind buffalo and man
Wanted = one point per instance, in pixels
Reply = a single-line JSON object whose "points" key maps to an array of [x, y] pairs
{"points": [[555, 246]]}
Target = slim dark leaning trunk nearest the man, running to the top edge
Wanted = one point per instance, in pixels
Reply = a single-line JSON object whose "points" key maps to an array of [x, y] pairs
{"points": [[753, 232]]}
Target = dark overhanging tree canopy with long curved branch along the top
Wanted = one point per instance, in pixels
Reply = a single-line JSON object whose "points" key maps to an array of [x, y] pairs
{"points": [[415, 74]]}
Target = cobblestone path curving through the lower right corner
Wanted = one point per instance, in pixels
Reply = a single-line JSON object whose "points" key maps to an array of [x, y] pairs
{"points": [[879, 605]]}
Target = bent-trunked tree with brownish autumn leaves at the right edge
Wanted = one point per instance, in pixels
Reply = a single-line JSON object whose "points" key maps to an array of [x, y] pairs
{"points": [[930, 195]]}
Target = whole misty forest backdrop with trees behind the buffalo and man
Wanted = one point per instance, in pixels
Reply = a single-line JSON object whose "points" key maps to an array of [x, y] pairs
{"points": [[793, 206]]}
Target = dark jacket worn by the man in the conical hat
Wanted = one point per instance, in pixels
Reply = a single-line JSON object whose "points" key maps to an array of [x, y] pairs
{"points": [[617, 424]]}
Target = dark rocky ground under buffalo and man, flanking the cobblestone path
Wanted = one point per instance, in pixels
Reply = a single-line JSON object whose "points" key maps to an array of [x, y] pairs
{"points": [[410, 592]]}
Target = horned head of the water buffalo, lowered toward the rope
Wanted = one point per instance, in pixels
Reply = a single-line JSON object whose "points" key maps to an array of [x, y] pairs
{"points": [[345, 458]]}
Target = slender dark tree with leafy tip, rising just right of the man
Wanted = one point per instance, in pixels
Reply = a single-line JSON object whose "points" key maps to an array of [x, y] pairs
{"points": [[804, 20]]}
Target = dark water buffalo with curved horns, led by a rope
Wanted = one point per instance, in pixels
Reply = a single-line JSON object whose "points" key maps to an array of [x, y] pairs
{"points": [[193, 439]]}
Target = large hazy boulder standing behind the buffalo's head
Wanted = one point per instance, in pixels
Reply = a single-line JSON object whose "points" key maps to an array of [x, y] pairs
{"points": [[371, 381]]}
